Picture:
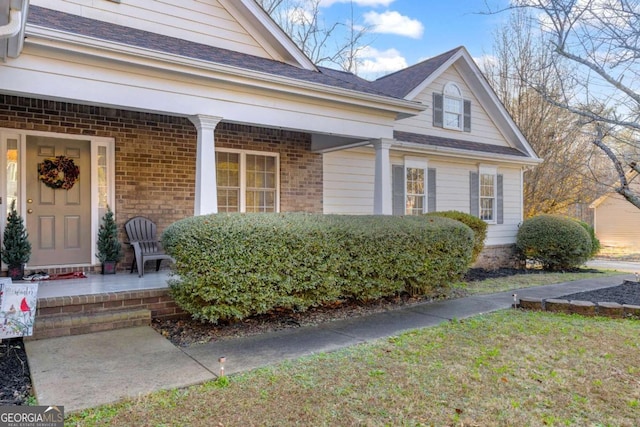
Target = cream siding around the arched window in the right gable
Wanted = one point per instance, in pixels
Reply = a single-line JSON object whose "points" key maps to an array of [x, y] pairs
{"points": [[483, 129]]}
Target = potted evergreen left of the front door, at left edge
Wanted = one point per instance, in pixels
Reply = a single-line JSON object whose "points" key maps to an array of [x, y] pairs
{"points": [[16, 248]]}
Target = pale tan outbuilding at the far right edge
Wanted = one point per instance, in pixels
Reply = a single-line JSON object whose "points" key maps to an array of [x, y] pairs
{"points": [[616, 221]]}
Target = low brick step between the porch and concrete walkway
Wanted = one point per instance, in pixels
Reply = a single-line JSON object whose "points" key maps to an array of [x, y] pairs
{"points": [[60, 325]]}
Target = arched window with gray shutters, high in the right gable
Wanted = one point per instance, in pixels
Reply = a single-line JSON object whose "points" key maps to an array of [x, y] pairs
{"points": [[451, 110]]}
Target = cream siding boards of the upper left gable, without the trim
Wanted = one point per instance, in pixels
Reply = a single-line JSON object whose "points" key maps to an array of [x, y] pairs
{"points": [[206, 22]]}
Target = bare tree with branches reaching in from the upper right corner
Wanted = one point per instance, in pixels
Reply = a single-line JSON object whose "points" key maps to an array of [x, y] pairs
{"points": [[600, 38]]}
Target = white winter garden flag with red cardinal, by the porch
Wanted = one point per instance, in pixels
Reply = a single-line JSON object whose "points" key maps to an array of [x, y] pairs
{"points": [[17, 308]]}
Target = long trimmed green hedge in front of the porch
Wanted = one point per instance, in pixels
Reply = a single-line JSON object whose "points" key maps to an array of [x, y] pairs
{"points": [[231, 266]]}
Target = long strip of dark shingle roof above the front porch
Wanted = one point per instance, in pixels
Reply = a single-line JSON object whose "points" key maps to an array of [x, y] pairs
{"points": [[133, 37]]}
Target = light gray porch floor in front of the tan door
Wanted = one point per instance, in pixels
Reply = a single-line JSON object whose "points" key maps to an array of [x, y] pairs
{"points": [[102, 284]]}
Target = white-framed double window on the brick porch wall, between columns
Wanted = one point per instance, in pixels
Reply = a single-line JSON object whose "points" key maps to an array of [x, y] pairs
{"points": [[247, 181]]}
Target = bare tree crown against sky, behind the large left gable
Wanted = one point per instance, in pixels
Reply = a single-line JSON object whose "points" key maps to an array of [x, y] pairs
{"points": [[336, 43]]}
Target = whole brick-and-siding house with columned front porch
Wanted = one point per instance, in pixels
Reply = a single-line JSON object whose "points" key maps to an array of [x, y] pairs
{"points": [[174, 109]]}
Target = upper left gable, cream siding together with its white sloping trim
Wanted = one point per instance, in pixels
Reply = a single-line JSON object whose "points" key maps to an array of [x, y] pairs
{"points": [[237, 25]]}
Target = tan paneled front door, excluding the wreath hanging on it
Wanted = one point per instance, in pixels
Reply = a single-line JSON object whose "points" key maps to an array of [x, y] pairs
{"points": [[58, 220]]}
